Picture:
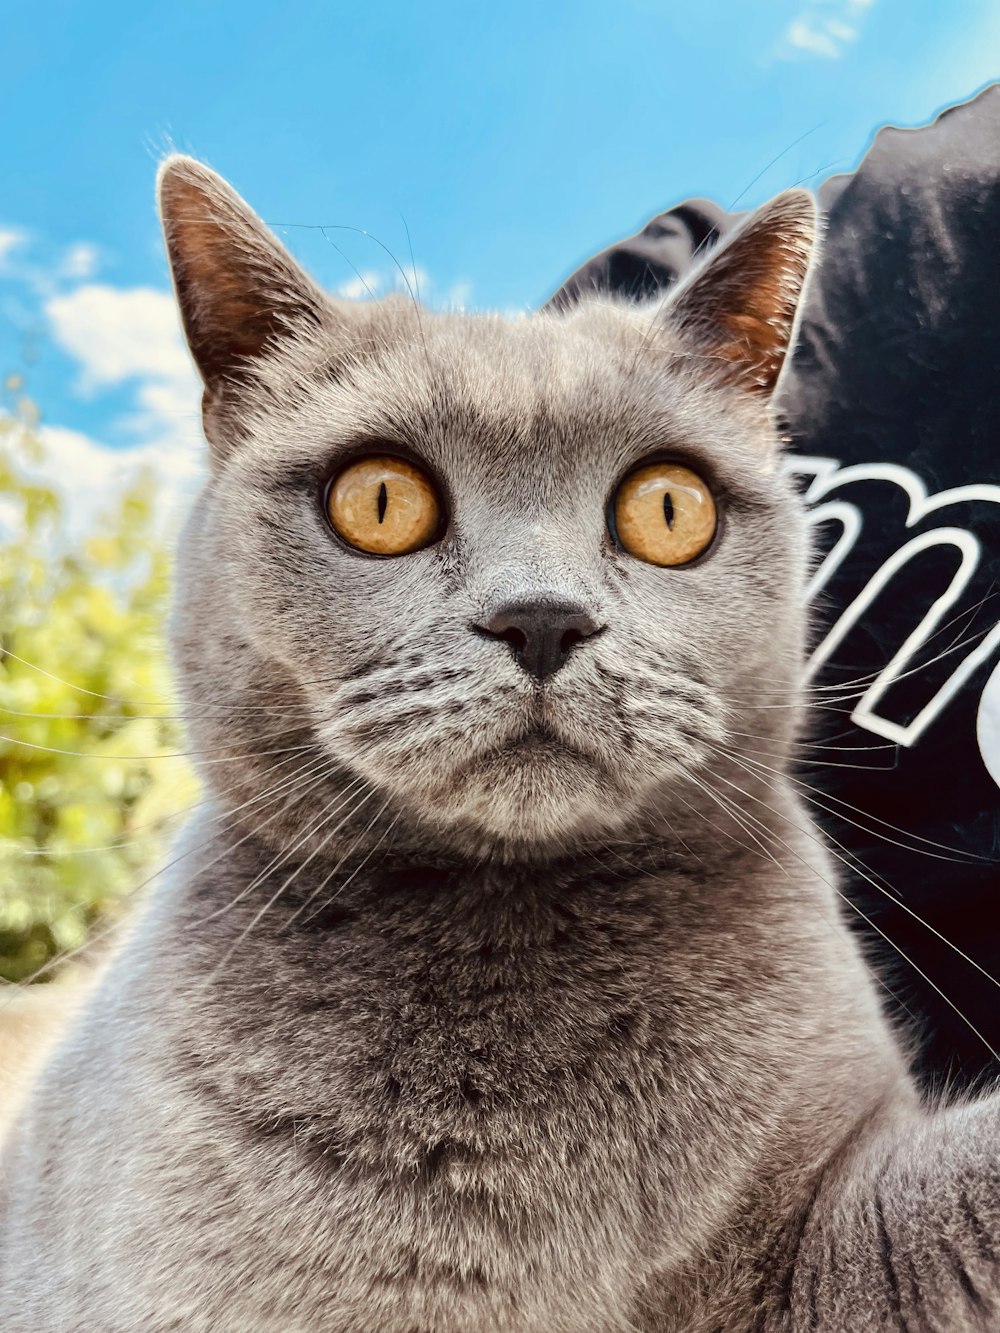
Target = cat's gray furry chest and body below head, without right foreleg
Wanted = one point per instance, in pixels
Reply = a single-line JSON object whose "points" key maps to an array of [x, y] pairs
{"points": [[449, 1102]]}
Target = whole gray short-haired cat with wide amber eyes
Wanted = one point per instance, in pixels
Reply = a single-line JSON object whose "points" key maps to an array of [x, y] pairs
{"points": [[503, 987]]}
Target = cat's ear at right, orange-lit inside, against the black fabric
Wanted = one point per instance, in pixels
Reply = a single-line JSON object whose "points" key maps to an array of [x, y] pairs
{"points": [[741, 307]]}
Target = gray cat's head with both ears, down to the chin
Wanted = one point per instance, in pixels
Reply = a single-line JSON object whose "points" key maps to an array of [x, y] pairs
{"points": [[514, 583]]}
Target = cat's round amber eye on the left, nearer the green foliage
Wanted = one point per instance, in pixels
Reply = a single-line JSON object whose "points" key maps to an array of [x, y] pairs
{"points": [[385, 506]]}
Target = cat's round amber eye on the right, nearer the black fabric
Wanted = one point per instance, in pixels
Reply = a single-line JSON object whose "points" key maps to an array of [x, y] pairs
{"points": [[665, 515]]}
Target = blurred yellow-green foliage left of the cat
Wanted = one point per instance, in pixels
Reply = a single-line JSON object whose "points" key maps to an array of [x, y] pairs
{"points": [[90, 774]]}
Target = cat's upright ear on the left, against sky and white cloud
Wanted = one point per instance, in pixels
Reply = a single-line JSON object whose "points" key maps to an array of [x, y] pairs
{"points": [[238, 289]]}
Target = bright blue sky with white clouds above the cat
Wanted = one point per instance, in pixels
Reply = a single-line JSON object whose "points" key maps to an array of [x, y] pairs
{"points": [[513, 139]]}
